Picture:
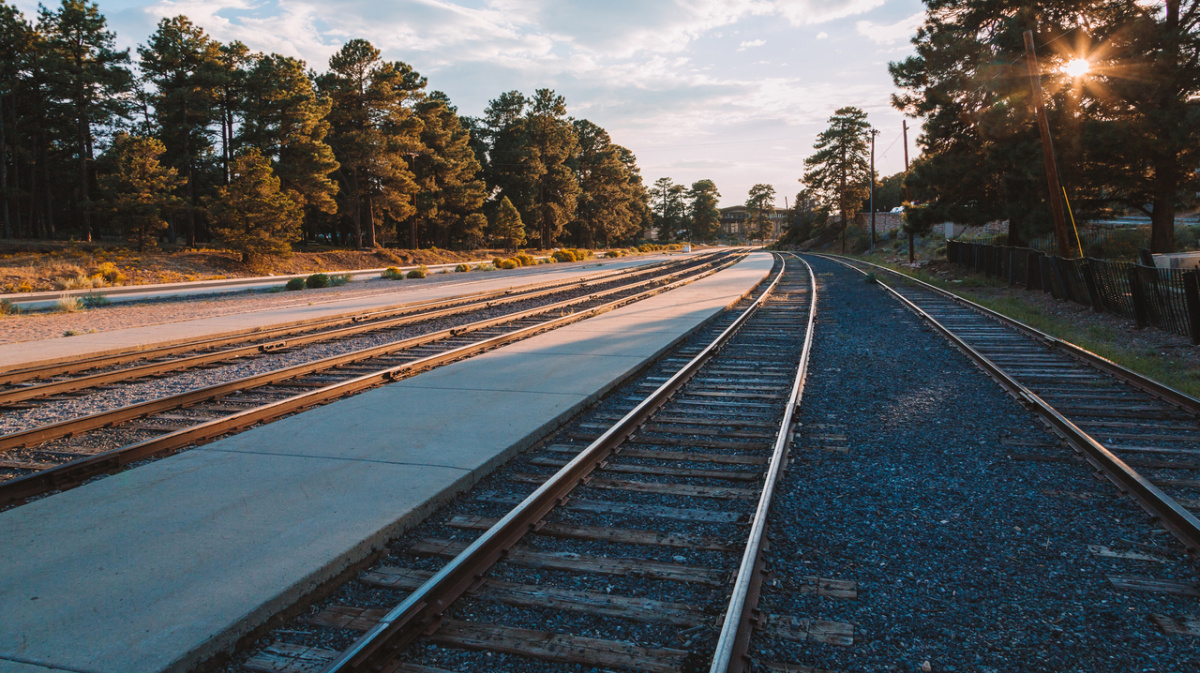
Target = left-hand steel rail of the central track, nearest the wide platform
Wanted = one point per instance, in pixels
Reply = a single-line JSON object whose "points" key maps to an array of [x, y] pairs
{"points": [[423, 611]]}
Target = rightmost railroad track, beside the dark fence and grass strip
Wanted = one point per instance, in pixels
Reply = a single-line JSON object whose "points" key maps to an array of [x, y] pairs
{"points": [[1141, 435]]}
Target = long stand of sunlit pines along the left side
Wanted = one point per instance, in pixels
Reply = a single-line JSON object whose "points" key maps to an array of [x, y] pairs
{"points": [[199, 141]]}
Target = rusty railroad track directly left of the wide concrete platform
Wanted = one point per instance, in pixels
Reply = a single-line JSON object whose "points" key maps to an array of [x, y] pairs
{"points": [[64, 454]]}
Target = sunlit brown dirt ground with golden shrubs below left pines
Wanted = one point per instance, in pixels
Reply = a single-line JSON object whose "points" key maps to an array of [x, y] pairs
{"points": [[57, 266]]}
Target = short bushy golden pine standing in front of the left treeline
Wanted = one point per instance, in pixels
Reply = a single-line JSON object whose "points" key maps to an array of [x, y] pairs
{"points": [[253, 215]]}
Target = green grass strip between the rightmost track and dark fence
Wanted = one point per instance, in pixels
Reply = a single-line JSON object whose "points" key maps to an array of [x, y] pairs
{"points": [[1177, 372]]}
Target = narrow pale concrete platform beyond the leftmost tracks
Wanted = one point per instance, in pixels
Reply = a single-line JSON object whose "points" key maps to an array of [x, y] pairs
{"points": [[26, 354]]}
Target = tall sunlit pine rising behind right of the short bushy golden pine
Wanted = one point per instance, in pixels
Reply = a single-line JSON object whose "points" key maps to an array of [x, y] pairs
{"points": [[289, 123]]}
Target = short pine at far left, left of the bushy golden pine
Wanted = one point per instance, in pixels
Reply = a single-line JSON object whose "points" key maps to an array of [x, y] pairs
{"points": [[139, 188]]}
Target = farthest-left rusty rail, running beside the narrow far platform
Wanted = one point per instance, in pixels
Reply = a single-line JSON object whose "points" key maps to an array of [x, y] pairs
{"points": [[261, 335]]}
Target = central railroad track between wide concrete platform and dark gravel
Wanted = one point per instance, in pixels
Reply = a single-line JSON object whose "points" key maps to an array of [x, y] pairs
{"points": [[645, 528]]}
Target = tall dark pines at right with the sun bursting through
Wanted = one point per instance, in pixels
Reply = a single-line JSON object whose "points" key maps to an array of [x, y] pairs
{"points": [[1125, 118]]}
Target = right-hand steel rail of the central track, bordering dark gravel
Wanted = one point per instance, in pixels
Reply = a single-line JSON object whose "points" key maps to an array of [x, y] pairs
{"points": [[730, 654]]}
